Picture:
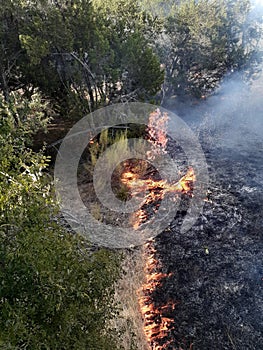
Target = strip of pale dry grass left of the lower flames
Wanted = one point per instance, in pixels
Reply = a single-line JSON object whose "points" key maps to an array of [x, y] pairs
{"points": [[130, 323]]}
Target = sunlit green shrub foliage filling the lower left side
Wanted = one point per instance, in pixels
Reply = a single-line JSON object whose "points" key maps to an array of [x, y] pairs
{"points": [[54, 293]]}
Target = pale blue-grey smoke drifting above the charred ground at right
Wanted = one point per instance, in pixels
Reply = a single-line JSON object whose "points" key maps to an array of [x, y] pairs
{"points": [[232, 119]]}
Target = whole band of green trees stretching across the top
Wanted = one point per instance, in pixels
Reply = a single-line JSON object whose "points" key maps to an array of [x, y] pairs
{"points": [[85, 54]]}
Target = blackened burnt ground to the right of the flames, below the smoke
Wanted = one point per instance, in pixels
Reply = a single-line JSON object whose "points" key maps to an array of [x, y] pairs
{"points": [[216, 268]]}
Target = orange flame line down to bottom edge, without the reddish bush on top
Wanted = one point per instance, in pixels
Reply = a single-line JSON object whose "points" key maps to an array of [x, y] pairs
{"points": [[157, 319]]}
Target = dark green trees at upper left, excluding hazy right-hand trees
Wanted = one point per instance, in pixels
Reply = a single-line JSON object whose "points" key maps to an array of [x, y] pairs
{"points": [[75, 52]]}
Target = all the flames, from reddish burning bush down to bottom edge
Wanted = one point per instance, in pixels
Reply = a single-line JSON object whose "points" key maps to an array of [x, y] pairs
{"points": [[157, 319]]}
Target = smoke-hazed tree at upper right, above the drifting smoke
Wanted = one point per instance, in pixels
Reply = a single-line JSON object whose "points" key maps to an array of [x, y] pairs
{"points": [[203, 41]]}
